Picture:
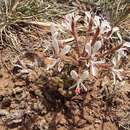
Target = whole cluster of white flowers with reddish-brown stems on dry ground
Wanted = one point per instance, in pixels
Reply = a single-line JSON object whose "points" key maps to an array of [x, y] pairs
{"points": [[101, 50]]}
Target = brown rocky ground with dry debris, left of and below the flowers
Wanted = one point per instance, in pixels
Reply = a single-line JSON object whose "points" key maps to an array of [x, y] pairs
{"points": [[29, 100]]}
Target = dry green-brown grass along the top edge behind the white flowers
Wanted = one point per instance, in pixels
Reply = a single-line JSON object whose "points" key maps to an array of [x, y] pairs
{"points": [[14, 11]]}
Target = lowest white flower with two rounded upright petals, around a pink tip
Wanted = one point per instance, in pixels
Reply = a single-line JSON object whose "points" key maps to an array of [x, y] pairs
{"points": [[79, 79]]}
